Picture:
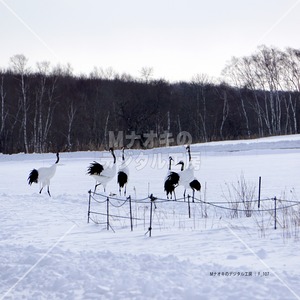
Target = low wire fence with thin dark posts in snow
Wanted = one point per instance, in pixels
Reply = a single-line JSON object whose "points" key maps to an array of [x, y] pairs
{"points": [[157, 213]]}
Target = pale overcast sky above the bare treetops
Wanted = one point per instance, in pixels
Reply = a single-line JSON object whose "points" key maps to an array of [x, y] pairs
{"points": [[178, 39]]}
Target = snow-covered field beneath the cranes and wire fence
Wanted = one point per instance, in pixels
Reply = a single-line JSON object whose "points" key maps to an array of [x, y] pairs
{"points": [[49, 251]]}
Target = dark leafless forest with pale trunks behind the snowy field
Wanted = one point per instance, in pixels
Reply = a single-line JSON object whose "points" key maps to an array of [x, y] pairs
{"points": [[50, 109]]}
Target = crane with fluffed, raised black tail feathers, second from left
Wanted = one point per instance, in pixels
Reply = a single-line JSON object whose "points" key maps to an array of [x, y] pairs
{"points": [[102, 174]]}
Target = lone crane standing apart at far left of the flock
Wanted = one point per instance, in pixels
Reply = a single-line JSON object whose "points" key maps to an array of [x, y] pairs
{"points": [[43, 175]]}
